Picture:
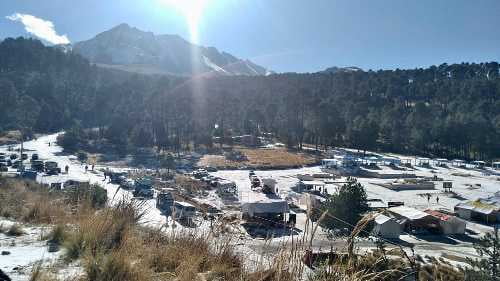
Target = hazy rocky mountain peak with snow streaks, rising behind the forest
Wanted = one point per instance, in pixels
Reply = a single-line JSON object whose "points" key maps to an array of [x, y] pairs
{"points": [[129, 48]]}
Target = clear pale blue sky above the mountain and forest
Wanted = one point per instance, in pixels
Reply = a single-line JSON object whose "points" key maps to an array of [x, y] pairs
{"points": [[293, 35]]}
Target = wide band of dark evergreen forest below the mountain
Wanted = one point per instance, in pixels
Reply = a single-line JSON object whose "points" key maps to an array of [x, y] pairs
{"points": [[446, 110]]}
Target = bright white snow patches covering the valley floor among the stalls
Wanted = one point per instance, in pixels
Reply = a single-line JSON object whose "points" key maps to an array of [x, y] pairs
{"points": [[464, 186]]}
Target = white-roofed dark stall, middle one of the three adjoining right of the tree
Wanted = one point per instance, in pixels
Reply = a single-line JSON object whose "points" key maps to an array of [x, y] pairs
{"points": [[415, 221]]}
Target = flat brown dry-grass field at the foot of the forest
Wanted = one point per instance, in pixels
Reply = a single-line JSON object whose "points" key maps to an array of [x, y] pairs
{"points": [[260, 158]]}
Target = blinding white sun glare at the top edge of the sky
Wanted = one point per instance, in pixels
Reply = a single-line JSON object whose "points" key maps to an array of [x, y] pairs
{"points": [[192, 11]]}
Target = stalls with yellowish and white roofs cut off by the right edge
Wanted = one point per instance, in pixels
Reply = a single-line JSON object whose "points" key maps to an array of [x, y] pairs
{"points": [[485, 210]]}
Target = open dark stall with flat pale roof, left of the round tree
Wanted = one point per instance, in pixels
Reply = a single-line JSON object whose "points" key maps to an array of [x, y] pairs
{"points": [[272, 209]]}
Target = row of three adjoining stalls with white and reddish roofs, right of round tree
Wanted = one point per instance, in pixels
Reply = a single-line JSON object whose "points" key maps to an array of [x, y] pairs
{"points": [[410, 220]]}
